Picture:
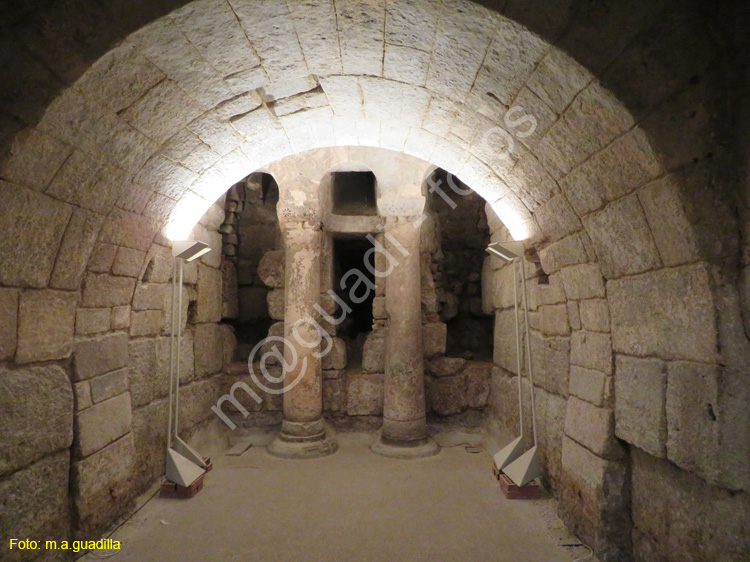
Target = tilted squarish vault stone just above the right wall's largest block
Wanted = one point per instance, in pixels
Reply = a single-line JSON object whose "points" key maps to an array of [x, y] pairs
{"points": [[622, 238]]}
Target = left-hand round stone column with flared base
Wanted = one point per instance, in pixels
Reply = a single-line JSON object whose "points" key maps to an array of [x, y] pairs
{"points": [[303, 434]]}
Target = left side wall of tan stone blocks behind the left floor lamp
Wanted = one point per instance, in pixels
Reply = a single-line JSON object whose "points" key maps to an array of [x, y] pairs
{"points": [[94, 355]]}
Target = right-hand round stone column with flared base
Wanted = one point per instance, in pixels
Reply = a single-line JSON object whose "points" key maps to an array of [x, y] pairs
{"points": [[404, 432]]}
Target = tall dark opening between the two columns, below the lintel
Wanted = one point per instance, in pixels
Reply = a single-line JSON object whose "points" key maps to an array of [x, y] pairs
{"points": [[354, 282]]}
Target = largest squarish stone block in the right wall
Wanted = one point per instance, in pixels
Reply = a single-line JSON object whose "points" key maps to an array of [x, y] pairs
{"points": [[641, 327]]}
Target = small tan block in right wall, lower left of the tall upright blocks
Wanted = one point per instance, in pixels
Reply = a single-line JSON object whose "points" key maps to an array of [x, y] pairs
{"points": [[593, 428]]}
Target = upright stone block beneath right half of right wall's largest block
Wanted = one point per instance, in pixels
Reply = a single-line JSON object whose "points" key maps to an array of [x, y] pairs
{"points": [[694, 417]]}
